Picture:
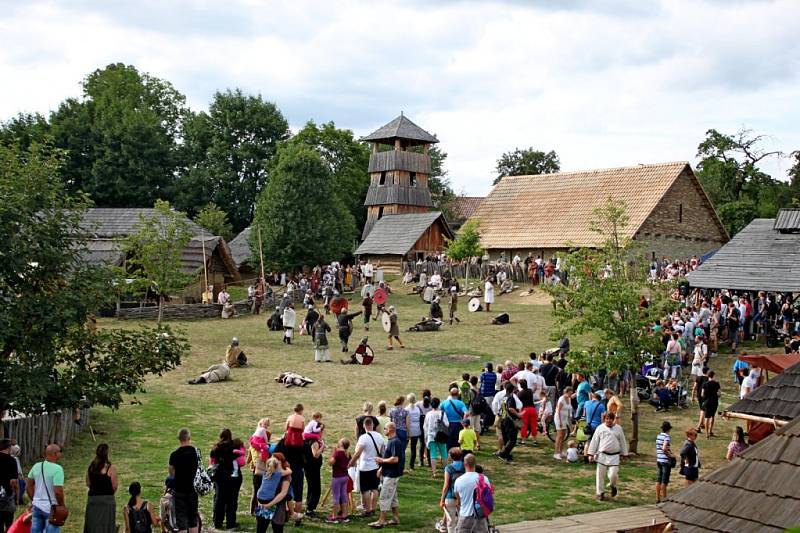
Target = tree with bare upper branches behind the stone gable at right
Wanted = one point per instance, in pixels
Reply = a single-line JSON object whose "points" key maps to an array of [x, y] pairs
{"points": [[739, 190]]}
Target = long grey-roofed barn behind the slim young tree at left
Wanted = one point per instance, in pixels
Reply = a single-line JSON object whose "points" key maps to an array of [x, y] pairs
{"points": [[110, 226]]}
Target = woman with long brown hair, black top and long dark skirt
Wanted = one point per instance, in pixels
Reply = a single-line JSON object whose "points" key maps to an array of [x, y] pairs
{"points": [[101, 480]]}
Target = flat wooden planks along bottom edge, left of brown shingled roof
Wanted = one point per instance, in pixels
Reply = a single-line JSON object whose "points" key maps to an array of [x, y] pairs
{"points": [[609, 521]]}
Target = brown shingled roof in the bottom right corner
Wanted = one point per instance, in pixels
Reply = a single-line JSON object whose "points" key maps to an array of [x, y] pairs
{"points": [[758, 491]]}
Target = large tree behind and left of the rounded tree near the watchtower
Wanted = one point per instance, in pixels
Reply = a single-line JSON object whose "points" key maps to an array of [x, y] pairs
{"points": [[227, 154]]}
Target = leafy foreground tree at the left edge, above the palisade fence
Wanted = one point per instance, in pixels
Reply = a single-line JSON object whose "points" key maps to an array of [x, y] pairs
{"points": [[49, 359]]}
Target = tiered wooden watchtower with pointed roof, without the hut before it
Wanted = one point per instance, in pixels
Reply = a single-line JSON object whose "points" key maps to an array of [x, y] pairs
{"points": [[399, 174]]}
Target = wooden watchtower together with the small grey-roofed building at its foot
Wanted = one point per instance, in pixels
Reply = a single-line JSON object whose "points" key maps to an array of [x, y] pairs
{"points": [[400, 223]]}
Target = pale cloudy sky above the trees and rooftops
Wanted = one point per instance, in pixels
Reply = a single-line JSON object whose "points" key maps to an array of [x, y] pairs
{"points": [[603, 83]]}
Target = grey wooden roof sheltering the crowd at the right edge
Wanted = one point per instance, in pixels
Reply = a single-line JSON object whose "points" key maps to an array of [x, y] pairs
{"points": [[757, 258]]}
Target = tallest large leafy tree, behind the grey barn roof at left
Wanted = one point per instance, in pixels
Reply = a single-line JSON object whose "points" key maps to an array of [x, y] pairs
{"points": [[120, 136]]}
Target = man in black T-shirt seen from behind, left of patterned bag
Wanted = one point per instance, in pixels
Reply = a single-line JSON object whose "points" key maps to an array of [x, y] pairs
{"points": [[183, 464]]}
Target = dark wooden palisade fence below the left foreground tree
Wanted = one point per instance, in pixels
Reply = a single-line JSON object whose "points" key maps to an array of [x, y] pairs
{"points": [[35, 432]]}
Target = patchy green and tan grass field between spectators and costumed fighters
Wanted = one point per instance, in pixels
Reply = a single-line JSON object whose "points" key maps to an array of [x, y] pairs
{"points": [[142, 432]]}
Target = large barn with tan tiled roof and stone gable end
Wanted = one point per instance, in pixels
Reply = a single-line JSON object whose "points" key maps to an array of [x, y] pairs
{"points": [[541, 215]]}
